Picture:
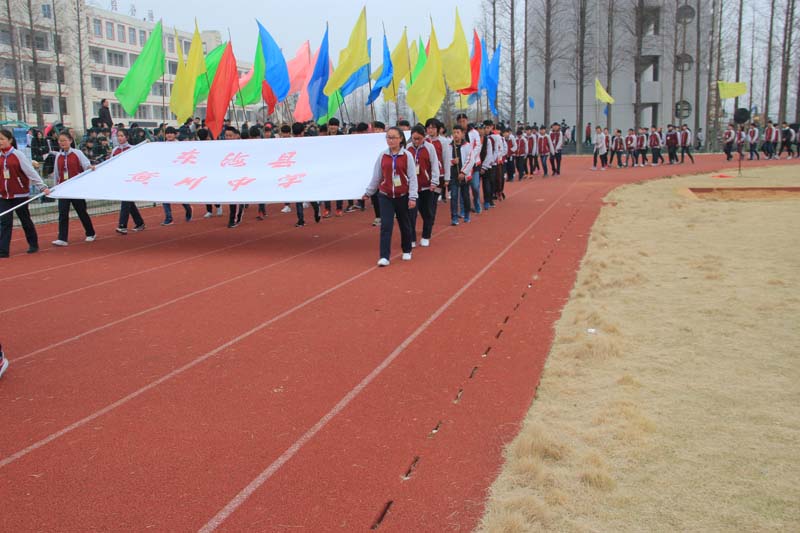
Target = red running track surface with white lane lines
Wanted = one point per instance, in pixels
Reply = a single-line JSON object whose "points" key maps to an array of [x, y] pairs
{"points": [[270, 378]]}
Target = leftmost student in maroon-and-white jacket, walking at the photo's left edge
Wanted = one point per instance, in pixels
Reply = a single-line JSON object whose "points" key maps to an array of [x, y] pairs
{"points": [[18, 173]]}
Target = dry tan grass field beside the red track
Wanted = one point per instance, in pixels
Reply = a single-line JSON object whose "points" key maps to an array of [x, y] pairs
{"points": [[670, 400]]}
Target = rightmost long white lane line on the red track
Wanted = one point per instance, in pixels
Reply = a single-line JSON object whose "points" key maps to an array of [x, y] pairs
{"points": [[240, 498]]}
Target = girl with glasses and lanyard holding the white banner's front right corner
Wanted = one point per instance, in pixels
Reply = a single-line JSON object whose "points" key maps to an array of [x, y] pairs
{"points": [[395, 181]]}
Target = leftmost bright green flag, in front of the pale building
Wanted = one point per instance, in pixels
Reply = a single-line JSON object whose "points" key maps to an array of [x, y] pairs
{"points": [[144, 72]]}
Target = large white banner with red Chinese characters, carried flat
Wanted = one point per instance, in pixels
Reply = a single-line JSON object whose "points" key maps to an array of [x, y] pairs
{"points": [[234, 172]]}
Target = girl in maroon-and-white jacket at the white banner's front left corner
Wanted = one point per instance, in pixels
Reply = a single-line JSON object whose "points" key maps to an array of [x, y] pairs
{"points": [[69, 163]]}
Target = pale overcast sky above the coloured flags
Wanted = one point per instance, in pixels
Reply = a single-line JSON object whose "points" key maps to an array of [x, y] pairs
{"points": [[291, 22]]}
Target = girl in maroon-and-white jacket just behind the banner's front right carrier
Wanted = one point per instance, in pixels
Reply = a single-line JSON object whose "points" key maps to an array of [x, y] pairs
{"points": [[427, 167]]}
